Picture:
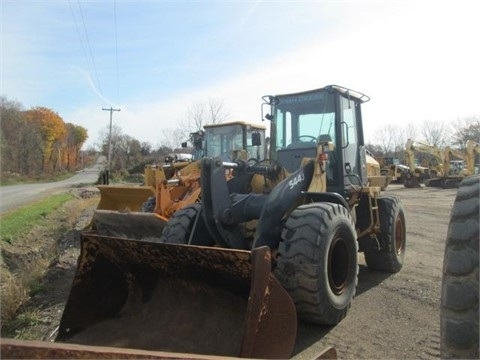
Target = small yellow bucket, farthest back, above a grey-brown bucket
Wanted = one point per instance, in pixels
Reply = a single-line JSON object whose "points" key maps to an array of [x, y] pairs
{"points": [[124, 197]]}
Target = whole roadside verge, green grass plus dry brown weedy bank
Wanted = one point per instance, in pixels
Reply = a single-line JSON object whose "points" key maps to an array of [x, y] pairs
{"points": [[29, 246]]}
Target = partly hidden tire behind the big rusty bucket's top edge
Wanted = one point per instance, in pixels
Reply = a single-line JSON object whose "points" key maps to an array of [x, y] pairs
{"points": [[179, 228]]}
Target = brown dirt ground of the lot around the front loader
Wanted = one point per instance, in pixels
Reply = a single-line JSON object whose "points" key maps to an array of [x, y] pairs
{"points": [[394, 316]]}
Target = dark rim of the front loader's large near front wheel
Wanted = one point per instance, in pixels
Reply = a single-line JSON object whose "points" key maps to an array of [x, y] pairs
{"points": [[338, 265]]}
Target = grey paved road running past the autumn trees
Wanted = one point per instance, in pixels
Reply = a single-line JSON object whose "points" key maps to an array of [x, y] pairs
{"points": [[16, 195]]}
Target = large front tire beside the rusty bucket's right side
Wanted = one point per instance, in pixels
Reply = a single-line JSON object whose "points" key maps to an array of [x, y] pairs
{"points": [[317, 261]]}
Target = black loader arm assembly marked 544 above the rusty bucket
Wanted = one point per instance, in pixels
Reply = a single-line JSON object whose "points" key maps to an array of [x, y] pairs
{"points": [[224, 211]]}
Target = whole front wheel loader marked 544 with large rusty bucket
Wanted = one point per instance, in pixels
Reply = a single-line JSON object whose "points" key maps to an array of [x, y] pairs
{"points": [[233, 274]]}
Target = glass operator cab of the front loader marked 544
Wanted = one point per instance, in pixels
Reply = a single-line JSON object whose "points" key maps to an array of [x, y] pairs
{"points": [[330, 115]]}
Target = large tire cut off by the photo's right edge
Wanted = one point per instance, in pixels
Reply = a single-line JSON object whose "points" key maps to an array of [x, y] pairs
{"points": [[459, 299]]}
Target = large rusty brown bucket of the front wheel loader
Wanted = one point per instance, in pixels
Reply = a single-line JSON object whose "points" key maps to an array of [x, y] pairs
{"points": [[177, 298]]}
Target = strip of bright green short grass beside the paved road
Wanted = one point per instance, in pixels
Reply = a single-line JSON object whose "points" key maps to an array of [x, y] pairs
{"points": [[22, 220]]}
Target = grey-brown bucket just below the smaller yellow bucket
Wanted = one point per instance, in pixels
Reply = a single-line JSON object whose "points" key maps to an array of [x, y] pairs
{"points": [[134, 225]]}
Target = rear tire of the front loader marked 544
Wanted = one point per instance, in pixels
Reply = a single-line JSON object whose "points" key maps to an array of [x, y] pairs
{"points": [[392, 238]]}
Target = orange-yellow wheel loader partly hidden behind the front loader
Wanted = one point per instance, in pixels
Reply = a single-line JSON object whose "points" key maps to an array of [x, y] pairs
{"points": [[128, 210]]}
